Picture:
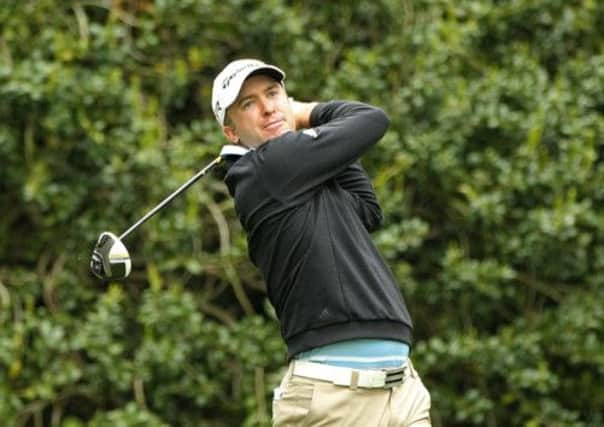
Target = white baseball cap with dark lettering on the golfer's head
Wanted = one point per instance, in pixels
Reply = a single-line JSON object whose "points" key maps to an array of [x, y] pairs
{"points": [[228, 83]]}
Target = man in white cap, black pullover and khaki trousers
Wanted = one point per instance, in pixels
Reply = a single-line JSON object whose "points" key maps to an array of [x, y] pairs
{"points": [[308, 207]]}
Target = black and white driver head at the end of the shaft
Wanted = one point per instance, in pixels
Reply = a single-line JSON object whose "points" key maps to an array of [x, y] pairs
{"points": [[110, 259]]}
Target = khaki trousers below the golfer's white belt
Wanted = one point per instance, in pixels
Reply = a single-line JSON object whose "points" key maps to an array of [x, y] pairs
{"points": [[308, 402]]}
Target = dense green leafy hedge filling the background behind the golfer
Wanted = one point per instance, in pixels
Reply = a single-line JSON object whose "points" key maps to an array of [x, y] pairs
{"points": [[491, 178]]}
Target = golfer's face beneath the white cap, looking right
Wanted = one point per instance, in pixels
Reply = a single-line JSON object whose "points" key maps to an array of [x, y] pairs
{"points": [[261, 112]]}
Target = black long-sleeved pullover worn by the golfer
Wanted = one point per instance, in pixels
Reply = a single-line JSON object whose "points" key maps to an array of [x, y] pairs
{"points": [[308, 207]]}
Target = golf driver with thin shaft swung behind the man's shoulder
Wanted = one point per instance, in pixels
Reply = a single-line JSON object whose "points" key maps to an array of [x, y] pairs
{"points": [[110, 258]]}
